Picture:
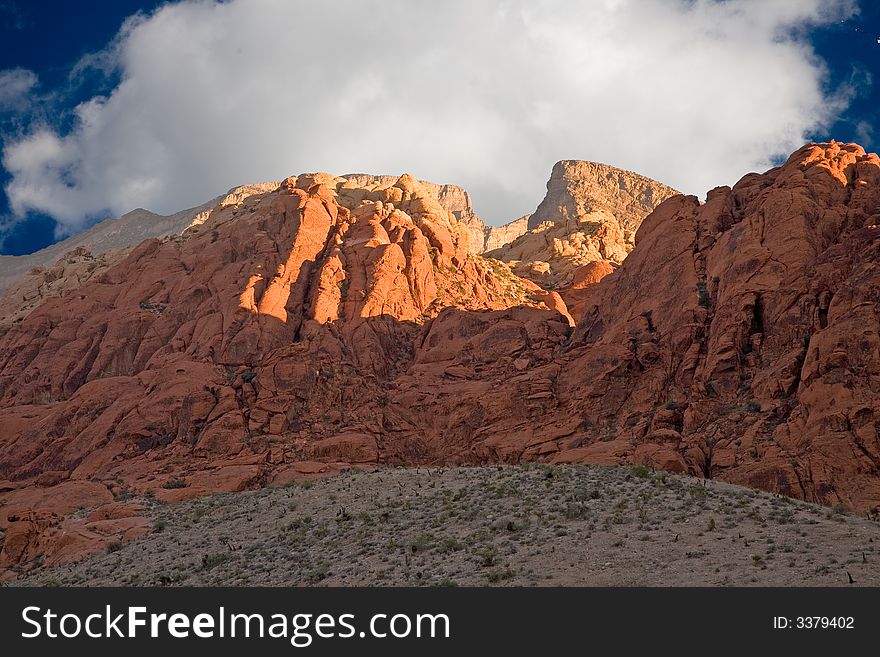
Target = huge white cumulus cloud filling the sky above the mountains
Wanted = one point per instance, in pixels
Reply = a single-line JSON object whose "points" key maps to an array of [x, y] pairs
{"points": [[483, 93]]}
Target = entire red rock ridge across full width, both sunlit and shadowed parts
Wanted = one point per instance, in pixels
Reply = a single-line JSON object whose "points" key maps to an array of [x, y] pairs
{"points": [[325, 325]]}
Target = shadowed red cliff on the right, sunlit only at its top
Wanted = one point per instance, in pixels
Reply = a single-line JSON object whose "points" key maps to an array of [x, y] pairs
{"points": [[747, 348]]}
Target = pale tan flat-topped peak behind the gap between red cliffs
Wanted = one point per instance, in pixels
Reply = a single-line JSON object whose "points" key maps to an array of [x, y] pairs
{"points": [[590, 214]]}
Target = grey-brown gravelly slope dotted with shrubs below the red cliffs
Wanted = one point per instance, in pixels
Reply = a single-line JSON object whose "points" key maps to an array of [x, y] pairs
{"points": [[514, 525]]}
